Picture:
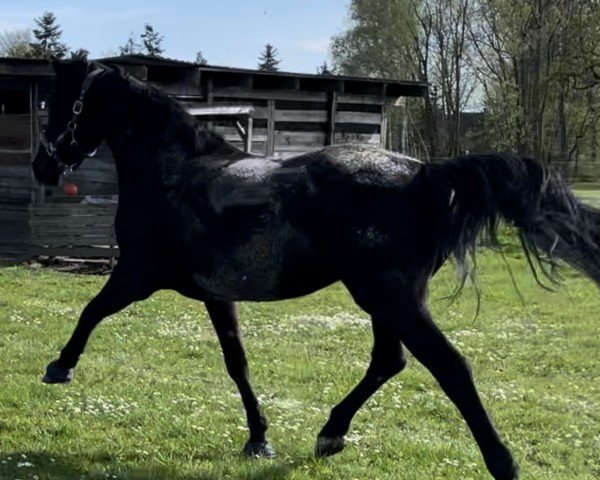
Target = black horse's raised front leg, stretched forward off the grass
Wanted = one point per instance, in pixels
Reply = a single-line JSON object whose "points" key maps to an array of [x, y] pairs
{"points": [[122, 288]]}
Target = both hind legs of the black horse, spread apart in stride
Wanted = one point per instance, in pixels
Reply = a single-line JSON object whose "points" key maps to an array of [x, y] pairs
{"points": [[400, 317]]}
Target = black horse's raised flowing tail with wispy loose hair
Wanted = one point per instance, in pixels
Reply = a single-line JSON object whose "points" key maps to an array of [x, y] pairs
{"points": [[475, 192]]}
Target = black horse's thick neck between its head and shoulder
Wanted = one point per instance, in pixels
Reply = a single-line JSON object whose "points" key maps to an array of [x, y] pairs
{"points": [[157, 147]]}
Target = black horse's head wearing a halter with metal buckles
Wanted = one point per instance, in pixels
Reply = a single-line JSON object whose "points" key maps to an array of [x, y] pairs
{"points": [[74, 128]]}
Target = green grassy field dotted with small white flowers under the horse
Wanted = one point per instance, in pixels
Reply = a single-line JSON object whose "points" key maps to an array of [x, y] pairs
{"points": [[151, 398]]}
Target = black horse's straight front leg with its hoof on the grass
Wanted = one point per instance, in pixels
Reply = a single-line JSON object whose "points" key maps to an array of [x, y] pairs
{"points": [[224, 318]]}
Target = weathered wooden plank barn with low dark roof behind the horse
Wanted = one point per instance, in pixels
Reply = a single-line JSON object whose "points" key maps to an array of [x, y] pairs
{"points": [[274, 114]]}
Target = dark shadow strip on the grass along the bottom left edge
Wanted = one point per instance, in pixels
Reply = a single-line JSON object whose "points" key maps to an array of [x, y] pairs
{"points": [[51, 466]]}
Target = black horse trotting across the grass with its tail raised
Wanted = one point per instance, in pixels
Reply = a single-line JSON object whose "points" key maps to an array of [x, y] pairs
{"points": [[199, 216]]}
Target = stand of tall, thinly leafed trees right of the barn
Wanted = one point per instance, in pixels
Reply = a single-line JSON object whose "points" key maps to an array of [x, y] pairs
{"points": [[534, 65]]}
